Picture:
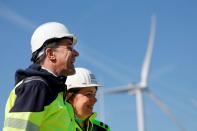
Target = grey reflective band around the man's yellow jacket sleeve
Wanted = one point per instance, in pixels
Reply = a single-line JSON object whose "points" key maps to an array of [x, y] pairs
{"points": [[21, 124]]}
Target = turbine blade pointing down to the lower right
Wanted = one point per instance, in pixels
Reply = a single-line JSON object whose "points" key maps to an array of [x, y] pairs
{"points": [[165, 109]]}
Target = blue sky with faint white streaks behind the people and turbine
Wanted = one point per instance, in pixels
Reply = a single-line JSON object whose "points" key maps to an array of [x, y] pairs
{"points": [[112, 39]]}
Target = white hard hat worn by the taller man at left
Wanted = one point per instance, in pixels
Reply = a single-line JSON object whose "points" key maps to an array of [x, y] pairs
{"points": [[48, 31]]}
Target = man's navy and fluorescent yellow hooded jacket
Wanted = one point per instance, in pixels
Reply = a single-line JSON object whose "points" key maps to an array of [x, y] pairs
{"points": [[37, 103]]}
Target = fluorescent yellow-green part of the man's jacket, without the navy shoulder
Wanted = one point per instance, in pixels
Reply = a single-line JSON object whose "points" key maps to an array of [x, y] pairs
{"points": [[56, 116]]}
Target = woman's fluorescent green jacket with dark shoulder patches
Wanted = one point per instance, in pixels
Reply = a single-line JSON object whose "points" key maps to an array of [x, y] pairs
{"points": [[93, 125]]}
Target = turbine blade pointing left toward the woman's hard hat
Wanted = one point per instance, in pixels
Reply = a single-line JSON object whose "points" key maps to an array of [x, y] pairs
{"points": [[122, 89]]}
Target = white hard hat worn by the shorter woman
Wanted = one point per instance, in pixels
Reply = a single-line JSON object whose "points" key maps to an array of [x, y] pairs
{"points": [[81, 79]]}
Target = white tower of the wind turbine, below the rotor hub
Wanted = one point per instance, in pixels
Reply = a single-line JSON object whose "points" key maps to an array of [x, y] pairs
{"points": [[139, 109]]}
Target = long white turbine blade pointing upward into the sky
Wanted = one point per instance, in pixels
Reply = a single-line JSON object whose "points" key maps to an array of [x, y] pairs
{"points": [[148, 56]]}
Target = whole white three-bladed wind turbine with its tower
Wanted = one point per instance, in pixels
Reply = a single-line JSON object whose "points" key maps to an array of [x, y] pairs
{"points": [[141, 87]]}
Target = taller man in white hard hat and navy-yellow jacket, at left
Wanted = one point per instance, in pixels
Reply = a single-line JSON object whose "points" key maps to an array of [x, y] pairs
{"points": [[37, 102]]}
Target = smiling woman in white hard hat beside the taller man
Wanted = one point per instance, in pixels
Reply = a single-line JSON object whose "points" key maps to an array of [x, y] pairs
{"points": [[81, 94]]}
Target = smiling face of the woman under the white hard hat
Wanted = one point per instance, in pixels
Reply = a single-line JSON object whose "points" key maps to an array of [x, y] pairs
{"points": [[83, 102]]}
